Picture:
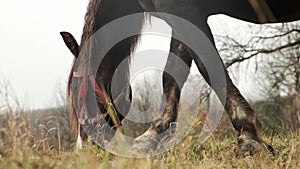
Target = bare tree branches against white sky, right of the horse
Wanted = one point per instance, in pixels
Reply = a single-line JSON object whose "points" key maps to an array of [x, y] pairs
{"points": [[275, 52]]}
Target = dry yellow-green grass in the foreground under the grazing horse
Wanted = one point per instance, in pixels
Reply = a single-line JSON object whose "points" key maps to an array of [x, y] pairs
{"points": [[20, 150]]}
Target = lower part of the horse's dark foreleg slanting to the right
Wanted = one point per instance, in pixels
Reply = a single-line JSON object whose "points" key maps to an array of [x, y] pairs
{"points": [[244, 120]]}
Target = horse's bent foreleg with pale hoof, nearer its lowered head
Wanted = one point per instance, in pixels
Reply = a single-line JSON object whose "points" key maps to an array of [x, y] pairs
{"points": [[171, 86]]}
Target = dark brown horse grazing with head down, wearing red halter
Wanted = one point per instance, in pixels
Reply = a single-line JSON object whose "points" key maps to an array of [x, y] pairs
{"points": [[102, 12]]}
